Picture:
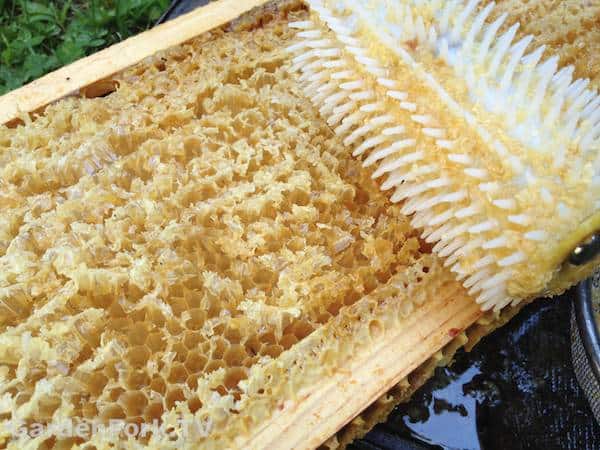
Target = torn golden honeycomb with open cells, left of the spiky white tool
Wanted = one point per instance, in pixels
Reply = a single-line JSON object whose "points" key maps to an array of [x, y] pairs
{"points": [[163, 246]]}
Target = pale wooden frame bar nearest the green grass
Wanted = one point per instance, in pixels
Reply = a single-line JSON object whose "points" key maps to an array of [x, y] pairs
{"points": [[70, 79]]}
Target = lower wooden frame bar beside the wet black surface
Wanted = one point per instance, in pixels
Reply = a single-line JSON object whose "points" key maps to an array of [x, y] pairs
{"points": [[322, 410]]}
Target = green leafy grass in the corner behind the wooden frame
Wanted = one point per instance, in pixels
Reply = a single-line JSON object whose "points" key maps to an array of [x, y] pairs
{"points": [[38, 37]]}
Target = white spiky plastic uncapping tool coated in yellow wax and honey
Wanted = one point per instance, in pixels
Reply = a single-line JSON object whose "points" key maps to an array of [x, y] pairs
{"points": [[491, 147]]}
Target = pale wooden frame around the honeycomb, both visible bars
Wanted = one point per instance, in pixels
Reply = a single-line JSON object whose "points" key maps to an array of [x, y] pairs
{"points": [[313, 418]]}
